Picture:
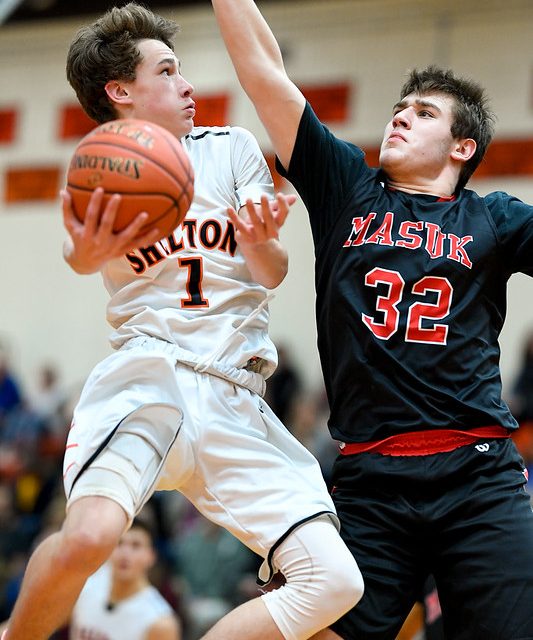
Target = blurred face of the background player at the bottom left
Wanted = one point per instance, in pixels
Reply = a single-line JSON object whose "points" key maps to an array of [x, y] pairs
{"points": [[133, 556]]}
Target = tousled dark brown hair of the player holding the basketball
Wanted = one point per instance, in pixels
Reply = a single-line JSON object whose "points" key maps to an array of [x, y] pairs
{"points": [[108, 50]]}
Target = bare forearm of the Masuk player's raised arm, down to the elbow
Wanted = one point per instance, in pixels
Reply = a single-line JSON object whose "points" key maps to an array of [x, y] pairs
{"points": [[250, 44]]}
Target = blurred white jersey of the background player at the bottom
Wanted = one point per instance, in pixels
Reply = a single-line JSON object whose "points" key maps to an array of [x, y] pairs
{"points": [[129, 619]]}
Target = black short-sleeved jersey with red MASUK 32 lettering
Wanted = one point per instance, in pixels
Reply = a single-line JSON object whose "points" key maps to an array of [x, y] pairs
{"points": [[411, 293]]}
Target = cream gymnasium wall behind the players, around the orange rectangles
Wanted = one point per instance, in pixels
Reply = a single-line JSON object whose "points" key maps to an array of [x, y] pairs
{"points": [[48, 313]]}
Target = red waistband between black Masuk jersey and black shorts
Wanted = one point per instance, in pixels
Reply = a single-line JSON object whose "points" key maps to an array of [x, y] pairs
{"points": [[424, 443]]}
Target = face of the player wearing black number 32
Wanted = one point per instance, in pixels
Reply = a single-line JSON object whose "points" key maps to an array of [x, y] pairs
{"points": [[418, 142]]}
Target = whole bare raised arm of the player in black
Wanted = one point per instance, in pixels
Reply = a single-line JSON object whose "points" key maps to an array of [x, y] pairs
{"points": [[259, 66]]}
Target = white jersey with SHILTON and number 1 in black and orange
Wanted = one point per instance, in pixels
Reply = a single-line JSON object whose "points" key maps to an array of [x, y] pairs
{"points": [[193, 288]]}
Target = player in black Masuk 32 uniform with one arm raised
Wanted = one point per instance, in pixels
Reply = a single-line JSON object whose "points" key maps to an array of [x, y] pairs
{"points": [[411, 274]]}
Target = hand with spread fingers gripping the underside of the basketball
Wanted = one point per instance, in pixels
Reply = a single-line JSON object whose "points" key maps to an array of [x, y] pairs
{"points": [[92, 242]]}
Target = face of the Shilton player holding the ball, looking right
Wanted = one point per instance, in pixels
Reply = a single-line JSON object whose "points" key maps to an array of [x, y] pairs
{"points": [[159, 92]]}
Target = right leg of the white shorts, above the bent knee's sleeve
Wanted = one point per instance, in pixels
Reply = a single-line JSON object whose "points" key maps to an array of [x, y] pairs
{"points": [[251, 475]]}
